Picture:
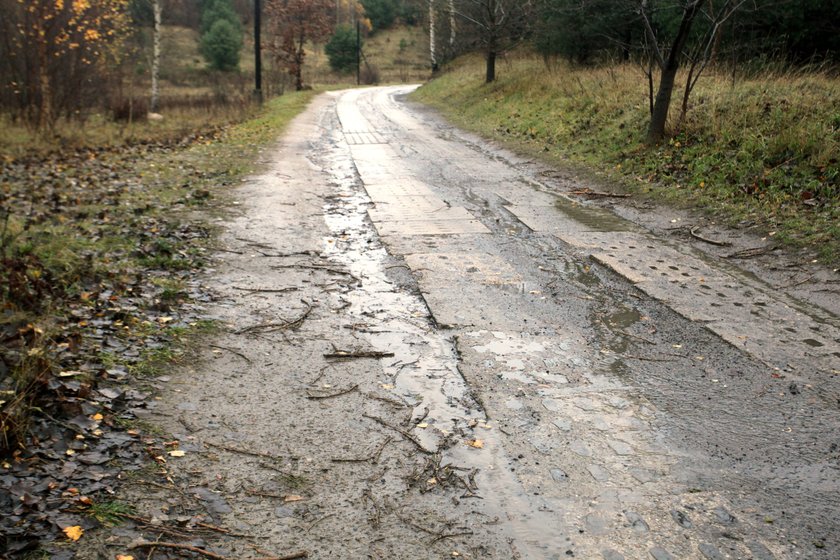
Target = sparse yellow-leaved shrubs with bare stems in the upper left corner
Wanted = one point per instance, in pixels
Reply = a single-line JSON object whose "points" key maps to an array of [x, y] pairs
{"points": [[53, 54]]}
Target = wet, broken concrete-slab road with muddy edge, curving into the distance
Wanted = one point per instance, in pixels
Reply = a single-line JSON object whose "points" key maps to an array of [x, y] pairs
{"points": [[428, 352]]}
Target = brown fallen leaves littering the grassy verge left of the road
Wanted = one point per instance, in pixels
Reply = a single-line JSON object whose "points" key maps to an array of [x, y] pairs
{"points": [[97, 284]]}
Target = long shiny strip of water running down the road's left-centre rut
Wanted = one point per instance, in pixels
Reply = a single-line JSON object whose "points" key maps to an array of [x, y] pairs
{"points": [[425, 372]]}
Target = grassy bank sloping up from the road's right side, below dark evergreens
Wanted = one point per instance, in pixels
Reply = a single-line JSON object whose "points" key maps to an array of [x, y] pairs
{"points": [[759, 151]]}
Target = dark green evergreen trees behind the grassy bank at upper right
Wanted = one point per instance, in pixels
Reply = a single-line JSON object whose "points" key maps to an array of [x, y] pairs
{"points": [[589, 31]]}
